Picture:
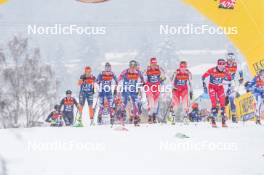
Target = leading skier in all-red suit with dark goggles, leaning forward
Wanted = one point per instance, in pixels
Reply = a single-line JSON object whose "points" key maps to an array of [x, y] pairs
{"points": [[216, 89]]}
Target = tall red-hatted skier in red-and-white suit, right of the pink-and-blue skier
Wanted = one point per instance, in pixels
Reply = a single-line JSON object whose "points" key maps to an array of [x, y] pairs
{"points": [[154, 78]]}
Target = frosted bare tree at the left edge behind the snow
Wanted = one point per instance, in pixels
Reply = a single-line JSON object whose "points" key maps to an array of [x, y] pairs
{"points": [[28, 86]]}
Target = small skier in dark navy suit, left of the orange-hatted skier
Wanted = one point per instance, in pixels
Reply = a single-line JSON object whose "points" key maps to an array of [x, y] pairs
{"points": [[68, 103]]}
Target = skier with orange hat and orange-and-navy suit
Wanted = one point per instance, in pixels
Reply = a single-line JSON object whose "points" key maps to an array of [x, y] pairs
{"points": [[87, 83]]}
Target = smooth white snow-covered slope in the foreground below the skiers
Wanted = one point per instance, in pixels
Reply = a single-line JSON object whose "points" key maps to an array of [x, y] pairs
{"points": [[148, 149]]}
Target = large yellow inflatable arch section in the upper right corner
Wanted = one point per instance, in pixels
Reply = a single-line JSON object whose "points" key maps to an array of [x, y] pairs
{"points": [[248, 17]]}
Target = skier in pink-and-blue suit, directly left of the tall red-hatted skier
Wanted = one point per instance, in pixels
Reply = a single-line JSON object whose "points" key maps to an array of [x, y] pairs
{"points": [[131, 78]]}
